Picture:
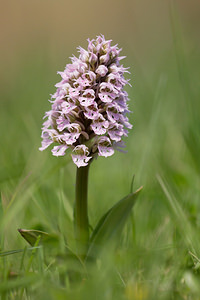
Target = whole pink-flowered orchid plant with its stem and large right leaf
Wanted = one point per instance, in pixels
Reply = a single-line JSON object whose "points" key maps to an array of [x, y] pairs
{"points": [[89, 115]]}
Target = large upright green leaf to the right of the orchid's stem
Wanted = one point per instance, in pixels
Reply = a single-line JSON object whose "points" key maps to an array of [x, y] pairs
{"points": [[111, 224]]}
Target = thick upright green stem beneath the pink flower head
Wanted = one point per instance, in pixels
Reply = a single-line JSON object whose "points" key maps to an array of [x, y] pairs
{"points": [[81, 225]]}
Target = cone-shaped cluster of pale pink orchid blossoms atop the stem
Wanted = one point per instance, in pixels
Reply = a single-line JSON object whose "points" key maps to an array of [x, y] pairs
{"points": [[89, 108]]}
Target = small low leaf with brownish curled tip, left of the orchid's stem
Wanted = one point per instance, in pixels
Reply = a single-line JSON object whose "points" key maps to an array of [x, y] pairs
{"points": [[31, 237]]}
